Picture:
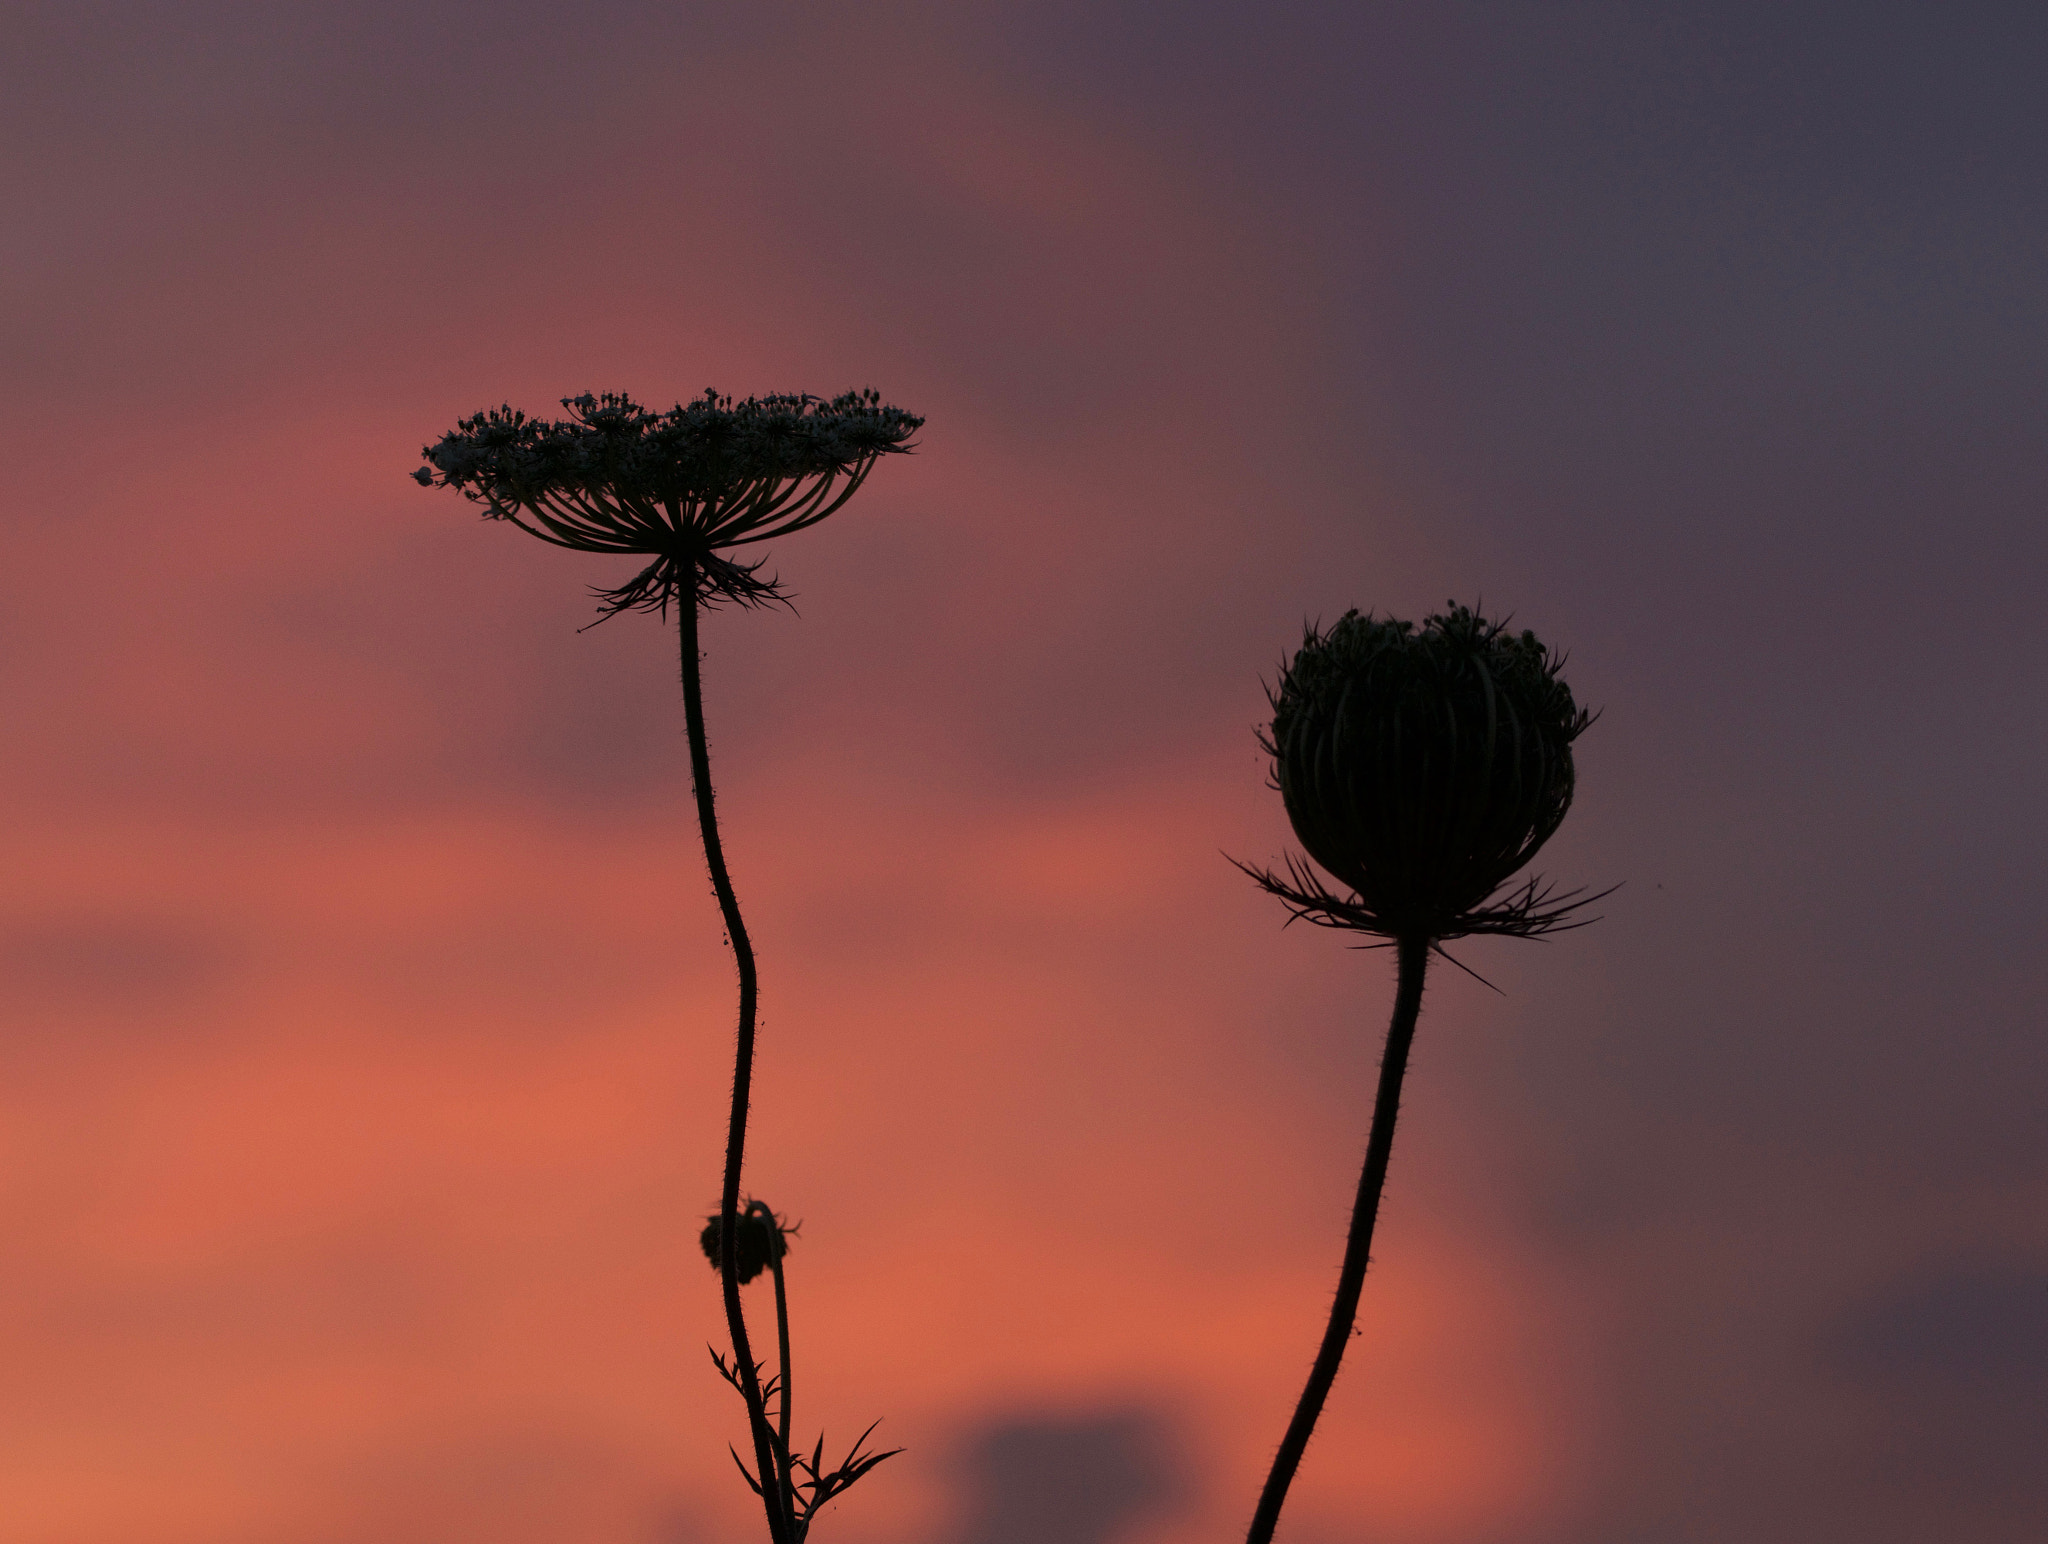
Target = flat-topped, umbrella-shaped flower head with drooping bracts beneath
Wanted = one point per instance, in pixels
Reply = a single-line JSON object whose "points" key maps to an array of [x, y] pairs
{"points": [[681, 486]]}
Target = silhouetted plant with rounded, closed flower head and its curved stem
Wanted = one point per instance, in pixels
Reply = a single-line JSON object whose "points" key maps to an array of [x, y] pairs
{"points": [[1422, 771]]}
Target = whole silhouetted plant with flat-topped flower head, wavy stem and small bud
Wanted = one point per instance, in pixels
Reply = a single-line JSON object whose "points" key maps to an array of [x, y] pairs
{"points": [[683, 488]]}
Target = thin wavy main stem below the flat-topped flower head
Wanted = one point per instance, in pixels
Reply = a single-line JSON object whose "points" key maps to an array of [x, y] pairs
{"points": [[736, 1140]]}
